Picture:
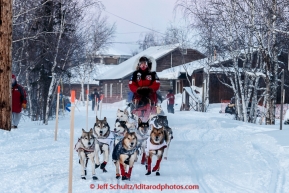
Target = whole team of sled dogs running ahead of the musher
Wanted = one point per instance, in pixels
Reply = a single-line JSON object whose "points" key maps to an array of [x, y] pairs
{"points": [[129, 138]]}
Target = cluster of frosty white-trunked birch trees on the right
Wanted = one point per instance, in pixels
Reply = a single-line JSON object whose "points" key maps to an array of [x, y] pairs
{"points": [[246, 32]]}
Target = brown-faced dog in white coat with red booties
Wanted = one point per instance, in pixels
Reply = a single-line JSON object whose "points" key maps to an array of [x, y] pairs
{"points": [[155, 146]]}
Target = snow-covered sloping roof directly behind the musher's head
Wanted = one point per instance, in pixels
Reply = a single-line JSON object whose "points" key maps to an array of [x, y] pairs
{"points": [[127, 67]]}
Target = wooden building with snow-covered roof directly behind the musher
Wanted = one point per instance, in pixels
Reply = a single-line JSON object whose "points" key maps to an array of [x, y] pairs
{"points": [[114, 83]]}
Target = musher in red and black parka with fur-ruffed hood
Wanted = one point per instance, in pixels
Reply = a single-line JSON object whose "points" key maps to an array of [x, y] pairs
{"points": [[144, 83]]}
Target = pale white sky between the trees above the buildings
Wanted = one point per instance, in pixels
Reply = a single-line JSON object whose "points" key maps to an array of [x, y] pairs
{"points": [[154, 14]]}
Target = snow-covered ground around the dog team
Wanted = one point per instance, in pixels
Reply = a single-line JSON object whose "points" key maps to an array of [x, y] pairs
{"points": [[209, 150]]}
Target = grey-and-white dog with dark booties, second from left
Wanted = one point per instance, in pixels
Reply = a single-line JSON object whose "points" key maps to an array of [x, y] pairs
{"points": [[103, 142]]}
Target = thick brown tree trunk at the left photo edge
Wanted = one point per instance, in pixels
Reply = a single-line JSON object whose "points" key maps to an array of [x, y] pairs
{"points": [[5, 63]]}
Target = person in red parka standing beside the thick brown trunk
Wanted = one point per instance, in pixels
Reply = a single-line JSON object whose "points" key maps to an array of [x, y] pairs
{"points": [[18, 101]]}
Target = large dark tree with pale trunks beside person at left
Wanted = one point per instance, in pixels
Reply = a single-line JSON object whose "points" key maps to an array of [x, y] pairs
{"points": [[47, 47]]}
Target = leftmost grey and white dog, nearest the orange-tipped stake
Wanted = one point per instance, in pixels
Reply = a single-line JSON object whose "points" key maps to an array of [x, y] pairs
{"points": [[85, 148]]}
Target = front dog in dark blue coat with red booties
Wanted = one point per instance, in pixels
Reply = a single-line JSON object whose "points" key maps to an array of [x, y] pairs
{"points": [[124, 154]]}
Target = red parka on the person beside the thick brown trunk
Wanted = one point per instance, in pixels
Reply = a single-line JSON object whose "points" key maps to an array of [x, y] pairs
{"points": [[18, 98]]}
